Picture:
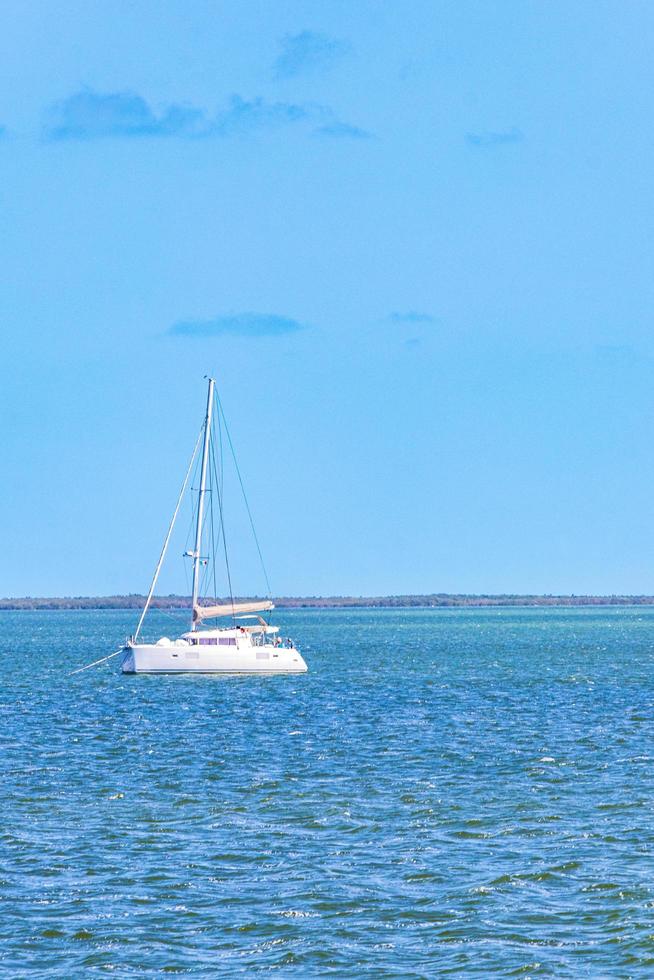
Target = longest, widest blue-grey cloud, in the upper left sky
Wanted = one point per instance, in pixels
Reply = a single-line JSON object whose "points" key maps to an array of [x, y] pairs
{"points": [[88, 115]]}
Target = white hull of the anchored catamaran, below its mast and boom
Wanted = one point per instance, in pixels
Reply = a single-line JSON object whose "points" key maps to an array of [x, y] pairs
{"points": [[152, 658]]}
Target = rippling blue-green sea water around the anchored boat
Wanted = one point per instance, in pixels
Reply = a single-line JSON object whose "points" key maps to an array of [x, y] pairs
{"points": [[447, 792]]}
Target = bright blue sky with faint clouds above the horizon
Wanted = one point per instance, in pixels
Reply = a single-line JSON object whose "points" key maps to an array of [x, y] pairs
{"points": [[413, 243]]}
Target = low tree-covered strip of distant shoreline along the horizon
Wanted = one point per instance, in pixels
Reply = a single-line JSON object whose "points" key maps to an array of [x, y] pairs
{"points": [[433, 601]]}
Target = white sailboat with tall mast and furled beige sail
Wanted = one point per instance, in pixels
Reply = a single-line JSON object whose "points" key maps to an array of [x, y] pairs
{"points": [[248, 644]]}
